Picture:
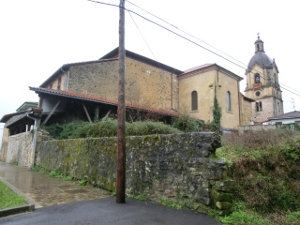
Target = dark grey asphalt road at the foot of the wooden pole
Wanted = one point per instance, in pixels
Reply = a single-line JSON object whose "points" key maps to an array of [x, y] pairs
{"points": [[107, 212]]}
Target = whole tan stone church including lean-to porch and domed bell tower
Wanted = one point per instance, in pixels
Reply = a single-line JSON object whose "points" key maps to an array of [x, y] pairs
{"points": [[89, 91]]}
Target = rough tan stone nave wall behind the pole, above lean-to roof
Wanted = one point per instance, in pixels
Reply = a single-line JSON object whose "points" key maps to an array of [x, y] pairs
{"points": [[145, 85]]}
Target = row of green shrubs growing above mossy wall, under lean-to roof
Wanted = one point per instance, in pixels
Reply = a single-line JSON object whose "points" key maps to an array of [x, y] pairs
{"points": [[108, 128]]}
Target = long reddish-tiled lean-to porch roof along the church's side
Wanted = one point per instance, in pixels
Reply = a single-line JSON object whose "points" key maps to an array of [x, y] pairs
{"points": [[90, 98]]}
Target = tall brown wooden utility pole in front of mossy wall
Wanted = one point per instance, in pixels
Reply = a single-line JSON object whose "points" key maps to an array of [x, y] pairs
{"points": [[121, 156]]}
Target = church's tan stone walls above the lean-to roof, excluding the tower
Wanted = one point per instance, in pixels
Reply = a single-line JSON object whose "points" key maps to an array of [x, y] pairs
{"points": [[152, 85]]}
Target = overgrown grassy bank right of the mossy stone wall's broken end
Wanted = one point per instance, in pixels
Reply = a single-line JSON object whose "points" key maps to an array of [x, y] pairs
{"points": [[266, 168]]}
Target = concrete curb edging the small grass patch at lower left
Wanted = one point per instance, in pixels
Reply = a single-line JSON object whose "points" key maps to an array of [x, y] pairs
{"points": [[20, 209]]}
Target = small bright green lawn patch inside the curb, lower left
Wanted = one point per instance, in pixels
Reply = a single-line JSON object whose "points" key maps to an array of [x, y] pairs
{"points": [[9, 199]]}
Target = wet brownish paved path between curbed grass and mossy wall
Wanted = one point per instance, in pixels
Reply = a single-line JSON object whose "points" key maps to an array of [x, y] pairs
{"points": [[46, 191]]}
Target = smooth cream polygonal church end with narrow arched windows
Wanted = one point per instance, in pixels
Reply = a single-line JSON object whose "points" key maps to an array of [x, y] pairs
{"points": [[208, 82]]}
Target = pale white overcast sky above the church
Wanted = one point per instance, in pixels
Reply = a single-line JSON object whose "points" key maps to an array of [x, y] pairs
{"points": [[39, 36]]}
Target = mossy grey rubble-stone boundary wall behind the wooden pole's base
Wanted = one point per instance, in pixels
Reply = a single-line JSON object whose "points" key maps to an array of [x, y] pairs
{"points": [[177, 167]]}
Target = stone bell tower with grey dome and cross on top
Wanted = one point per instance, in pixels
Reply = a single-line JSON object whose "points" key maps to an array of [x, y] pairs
{"points": [[263, 85]]}
